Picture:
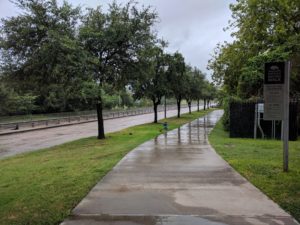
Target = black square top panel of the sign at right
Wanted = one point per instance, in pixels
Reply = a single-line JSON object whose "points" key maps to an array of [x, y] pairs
{"points": [[274, 73]]}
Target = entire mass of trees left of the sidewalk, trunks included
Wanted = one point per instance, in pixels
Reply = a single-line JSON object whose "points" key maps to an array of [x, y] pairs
{"points": [[53, 53]]}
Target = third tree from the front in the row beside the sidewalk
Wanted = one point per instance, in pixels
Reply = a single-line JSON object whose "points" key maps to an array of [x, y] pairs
{"points": [[176, 77]]}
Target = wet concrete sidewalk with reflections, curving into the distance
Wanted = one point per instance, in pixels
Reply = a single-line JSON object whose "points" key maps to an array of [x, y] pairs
{"points": [[177, 179]]}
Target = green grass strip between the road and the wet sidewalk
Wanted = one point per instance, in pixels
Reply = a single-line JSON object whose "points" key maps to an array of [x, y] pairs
{"points": [[42, 187]]}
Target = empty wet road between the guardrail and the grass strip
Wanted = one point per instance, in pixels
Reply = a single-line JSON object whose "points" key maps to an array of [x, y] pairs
{"points": [[13, 144]]}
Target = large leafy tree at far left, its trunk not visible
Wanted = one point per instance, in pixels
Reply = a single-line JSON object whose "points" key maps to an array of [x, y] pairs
{"points": [[40, 53]]}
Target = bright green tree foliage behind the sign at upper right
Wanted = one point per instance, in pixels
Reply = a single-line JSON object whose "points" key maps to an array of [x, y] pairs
{"points": [[264, 31]]}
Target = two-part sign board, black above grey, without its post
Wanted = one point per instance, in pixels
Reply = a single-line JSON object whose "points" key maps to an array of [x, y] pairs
{"points": [[274, 89]]}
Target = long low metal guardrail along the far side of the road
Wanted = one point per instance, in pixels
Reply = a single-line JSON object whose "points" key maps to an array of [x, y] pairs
{"points": [[78, 119]]}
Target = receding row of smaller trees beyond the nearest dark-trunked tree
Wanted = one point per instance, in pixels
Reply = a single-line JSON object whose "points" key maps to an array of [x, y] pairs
{"points": [[167, 75]]}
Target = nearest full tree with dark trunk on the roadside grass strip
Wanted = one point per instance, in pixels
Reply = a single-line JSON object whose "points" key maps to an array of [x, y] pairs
{"points": [[113, 41]]}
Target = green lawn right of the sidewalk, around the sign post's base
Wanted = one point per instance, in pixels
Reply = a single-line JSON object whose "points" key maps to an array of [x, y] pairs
{"points": [[260, 161]]}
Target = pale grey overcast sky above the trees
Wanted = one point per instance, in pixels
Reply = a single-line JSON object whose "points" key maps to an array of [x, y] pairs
{"points": [[193, 27]]}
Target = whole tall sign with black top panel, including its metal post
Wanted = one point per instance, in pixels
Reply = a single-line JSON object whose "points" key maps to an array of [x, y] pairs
{"points": [[276, 96]]}
